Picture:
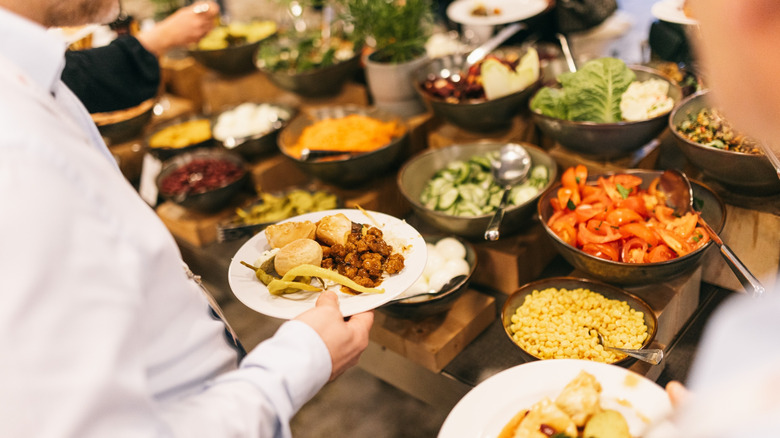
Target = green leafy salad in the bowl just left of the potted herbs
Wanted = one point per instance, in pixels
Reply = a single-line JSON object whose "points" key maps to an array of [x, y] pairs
{"points": [[297, 52]]}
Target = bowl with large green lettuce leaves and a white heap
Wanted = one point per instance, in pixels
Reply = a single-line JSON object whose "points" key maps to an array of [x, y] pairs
{"points": [[586, 112]]}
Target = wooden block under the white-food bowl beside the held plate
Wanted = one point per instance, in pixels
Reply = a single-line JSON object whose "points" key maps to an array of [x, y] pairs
{"points": [[434, 341]]}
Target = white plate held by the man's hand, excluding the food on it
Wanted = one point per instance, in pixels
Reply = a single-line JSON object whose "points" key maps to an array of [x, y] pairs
{"points": [[254, 294]]}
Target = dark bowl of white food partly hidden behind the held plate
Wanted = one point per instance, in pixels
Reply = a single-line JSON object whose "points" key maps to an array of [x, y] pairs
{"points": [[448, 269]]}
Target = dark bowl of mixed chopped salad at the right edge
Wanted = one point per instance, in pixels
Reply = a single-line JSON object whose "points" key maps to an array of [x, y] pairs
{"points": [[712, 145]]}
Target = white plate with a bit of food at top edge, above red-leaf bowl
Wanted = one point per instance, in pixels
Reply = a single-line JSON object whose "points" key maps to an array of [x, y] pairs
{"points": [[511, 11]]}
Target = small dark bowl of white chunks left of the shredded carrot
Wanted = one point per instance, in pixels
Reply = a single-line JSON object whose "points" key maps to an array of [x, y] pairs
{"points": [[251, 128]]}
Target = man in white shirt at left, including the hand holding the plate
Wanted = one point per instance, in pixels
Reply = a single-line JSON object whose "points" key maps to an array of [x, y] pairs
{"points": [[102, 332]]}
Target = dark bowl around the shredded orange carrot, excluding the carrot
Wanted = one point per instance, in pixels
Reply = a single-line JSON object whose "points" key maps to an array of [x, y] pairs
{"points": [[352, 169]]}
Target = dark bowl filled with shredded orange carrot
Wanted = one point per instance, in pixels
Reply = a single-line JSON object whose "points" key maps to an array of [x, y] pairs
{"points": [[345, 145]]}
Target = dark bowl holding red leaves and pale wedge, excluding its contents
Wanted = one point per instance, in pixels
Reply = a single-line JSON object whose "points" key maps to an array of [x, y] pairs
{"points": [[473, 115]]}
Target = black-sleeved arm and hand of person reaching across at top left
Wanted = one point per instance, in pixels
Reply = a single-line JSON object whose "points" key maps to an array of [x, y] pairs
{"points": [[126, 72]]}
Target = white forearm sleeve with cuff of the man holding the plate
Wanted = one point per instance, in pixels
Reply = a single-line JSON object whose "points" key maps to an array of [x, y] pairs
{"points": [[260, 398]]}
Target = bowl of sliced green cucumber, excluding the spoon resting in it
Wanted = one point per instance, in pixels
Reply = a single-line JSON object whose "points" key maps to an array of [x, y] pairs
{"points": [[453, 190]]}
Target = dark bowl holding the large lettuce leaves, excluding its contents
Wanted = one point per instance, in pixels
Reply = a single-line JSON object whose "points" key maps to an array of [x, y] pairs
{"points": [[608, 140]]}
